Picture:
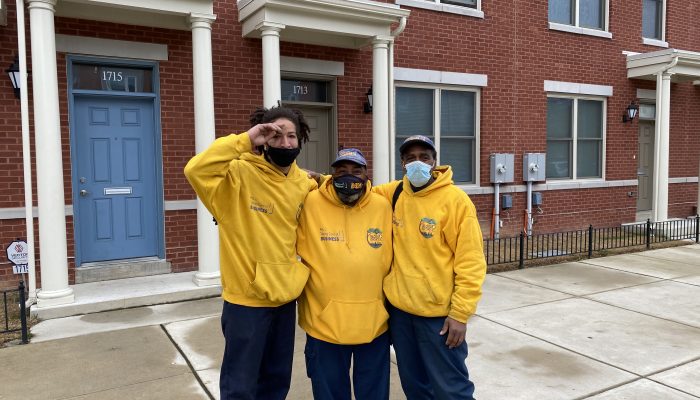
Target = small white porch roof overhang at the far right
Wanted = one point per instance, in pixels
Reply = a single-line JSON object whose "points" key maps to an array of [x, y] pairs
{"points": [[684, 66]]}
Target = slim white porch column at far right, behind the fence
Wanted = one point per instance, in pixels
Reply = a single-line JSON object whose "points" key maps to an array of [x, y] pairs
{"points": [[661, 149]]}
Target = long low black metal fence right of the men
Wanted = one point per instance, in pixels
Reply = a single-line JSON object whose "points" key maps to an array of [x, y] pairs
{"points": [[519, 249]]}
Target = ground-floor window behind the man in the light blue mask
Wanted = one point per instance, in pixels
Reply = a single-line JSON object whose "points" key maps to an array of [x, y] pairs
{"points": [[449, 118]]}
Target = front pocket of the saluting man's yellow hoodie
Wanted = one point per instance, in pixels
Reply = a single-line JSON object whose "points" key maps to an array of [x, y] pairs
{"points": [[278, 282]]}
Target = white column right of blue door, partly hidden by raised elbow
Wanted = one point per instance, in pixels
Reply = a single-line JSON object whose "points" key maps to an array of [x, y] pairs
{"points": [[204, 135]]}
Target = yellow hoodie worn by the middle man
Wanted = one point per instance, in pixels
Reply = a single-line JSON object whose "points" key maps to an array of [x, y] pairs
{"points": [[348, 250]]}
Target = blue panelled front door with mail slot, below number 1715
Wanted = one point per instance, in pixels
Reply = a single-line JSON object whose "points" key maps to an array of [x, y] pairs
{"points": [[115, 179]]}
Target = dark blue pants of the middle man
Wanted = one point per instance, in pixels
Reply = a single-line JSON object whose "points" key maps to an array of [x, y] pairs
{"points": [[328, 366]]}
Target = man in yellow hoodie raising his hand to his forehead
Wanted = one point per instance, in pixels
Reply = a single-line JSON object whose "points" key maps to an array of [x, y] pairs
{"points": [[253, 187]]}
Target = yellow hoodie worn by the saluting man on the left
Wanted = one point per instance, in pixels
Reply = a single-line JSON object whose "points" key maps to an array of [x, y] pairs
{"points": [[257, 209]]}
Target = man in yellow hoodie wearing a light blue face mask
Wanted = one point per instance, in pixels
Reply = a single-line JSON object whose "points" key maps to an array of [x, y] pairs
{"points": [[436, 275]]}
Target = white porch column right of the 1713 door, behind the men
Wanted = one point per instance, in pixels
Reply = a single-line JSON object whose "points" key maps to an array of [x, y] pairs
{"points": [[380, 111]]}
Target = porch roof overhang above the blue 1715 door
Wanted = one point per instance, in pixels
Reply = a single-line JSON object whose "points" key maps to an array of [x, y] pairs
{"points": [[152, 13]]}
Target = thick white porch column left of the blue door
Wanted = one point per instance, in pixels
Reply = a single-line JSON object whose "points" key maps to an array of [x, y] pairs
{"points": [[49, 158]]}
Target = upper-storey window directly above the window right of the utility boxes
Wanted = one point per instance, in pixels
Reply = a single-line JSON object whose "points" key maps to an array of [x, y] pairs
{"points": [[581, 13]]}
